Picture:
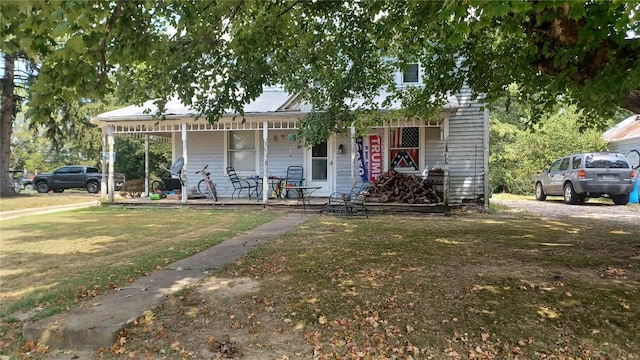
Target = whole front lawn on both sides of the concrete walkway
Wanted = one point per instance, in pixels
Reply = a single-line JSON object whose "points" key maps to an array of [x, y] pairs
{"points": [[466, 286]]}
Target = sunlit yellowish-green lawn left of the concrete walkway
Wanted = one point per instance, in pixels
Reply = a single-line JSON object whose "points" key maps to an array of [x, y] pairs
{"points": [[53, 261]]}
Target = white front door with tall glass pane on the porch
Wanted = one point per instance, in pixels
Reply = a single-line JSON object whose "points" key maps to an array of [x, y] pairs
{"points": [[318, 168]]}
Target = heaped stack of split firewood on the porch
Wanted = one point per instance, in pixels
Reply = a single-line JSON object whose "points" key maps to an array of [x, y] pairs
{"points": [[395, 187]]}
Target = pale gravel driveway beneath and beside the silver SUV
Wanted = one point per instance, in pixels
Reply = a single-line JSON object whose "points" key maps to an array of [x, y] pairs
{"points": [[556, 209]]}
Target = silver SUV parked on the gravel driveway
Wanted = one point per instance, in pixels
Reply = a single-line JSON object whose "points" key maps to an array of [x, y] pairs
{"points": [[590, 175]]}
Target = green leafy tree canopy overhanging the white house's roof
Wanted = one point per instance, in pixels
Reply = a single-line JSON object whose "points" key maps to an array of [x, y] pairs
{"points": [[219, 55]]}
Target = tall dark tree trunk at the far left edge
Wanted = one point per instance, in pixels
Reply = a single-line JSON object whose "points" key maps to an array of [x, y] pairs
{"points": [[6, 126]]}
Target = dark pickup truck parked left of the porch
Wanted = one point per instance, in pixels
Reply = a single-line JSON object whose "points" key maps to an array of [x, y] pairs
{"points": [[73, 177]]}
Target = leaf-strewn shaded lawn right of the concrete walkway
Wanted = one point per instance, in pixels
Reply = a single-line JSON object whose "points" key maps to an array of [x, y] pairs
{"points": [[470, 287]]}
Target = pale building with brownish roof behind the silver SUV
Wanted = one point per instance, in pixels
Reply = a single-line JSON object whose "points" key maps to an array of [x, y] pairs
{"points": [[625, 139]]}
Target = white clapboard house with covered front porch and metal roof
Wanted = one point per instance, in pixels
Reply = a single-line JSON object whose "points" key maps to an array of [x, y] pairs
{"points": [[456, 141]]}
